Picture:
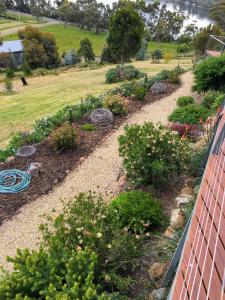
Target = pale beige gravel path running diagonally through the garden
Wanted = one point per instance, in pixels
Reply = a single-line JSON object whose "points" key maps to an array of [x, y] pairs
{"points": [[98, 172]]}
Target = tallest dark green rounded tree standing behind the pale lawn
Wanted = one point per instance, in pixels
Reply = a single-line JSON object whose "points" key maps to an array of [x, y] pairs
{"points": [[126, 30]]}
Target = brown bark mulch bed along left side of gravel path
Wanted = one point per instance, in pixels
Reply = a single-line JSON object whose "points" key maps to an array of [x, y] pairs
{"points": [[56, 166]]}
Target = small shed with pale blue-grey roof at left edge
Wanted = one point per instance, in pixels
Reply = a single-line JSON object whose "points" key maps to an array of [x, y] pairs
{"points": [[8, 48]]}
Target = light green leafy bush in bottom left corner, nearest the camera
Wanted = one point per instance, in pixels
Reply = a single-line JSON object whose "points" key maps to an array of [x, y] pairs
{"points": [[54, 274]]}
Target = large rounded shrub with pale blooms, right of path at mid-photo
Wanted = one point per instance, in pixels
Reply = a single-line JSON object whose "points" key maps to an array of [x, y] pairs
{"points": [[152, 155]]}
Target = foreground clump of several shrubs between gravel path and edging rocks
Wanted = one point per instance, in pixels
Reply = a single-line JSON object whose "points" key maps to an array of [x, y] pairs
{"points": [[88, 252]]}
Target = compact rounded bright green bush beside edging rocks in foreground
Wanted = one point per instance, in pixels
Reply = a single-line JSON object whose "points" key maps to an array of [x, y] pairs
{"points": [[138, 211]]}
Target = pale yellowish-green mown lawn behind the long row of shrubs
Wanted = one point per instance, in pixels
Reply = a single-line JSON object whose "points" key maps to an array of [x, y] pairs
{"points": [[45, 95]]}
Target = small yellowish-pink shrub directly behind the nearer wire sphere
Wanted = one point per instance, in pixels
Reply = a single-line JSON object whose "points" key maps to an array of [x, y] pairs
{"points": [[116, 104]]}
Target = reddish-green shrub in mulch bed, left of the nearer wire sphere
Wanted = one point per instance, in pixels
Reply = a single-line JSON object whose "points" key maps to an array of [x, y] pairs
{"points": [[64, 137]]}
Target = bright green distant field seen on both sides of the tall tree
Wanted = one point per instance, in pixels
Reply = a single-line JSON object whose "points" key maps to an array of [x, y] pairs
{"points": [[69, 37]]}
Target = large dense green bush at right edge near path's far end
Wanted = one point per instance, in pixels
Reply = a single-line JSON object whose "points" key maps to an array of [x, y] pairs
{"points": [[210, 74]]}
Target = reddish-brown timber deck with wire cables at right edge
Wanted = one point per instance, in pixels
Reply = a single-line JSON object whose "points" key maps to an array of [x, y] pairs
{"points": [[201, 272]]}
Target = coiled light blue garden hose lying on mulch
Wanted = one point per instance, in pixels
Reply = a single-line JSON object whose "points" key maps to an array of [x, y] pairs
{"points": [[14, 181]]}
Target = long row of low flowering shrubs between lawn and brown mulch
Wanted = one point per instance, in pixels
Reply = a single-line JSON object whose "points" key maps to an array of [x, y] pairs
{"points": [[113, 100]]}
